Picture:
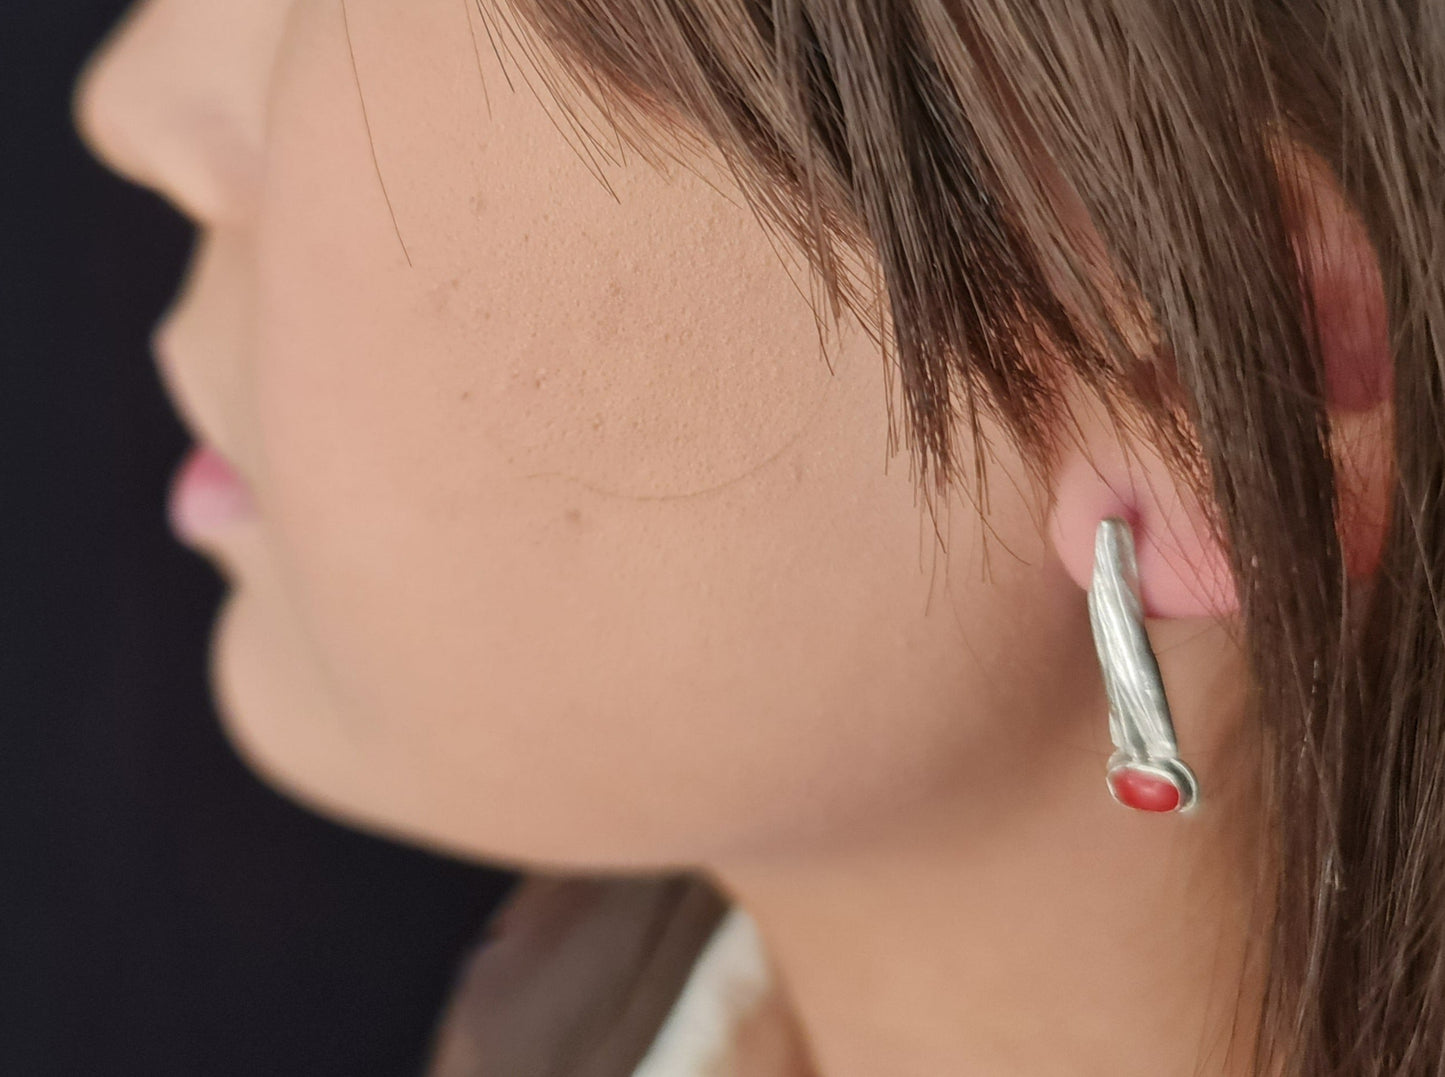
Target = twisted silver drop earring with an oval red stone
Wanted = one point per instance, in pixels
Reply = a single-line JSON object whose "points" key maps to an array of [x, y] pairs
{"points": [[1145, 773]]}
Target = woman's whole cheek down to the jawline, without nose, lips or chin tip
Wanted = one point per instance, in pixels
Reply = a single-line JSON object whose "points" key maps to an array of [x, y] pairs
{"points": [[570, 511]]}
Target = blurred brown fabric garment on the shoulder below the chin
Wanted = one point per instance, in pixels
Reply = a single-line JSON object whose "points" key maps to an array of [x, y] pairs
{"points": [[576, 978]]}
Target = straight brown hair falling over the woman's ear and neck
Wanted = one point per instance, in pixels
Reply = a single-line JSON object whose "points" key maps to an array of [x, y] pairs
{"points": [[914, 131]]}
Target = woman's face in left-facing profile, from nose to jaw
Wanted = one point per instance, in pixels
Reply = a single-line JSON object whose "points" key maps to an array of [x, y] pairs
{"points": [[569, 546]]}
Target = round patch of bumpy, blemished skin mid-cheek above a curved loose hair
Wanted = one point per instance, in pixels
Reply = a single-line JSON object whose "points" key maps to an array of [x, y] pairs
{"points": [[648, 364]]}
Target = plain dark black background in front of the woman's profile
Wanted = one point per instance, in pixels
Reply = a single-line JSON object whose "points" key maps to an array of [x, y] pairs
{"points": [[161, 911]]}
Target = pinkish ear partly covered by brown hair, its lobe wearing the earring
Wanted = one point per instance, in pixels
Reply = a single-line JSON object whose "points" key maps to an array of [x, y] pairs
{"points": [[1183, 573]]}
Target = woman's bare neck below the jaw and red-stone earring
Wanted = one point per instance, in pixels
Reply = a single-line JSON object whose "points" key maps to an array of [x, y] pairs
{"points": [[1060, 936]]}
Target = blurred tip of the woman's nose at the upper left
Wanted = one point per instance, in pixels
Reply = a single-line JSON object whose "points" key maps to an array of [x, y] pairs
{"points": [[176, 100]]}
